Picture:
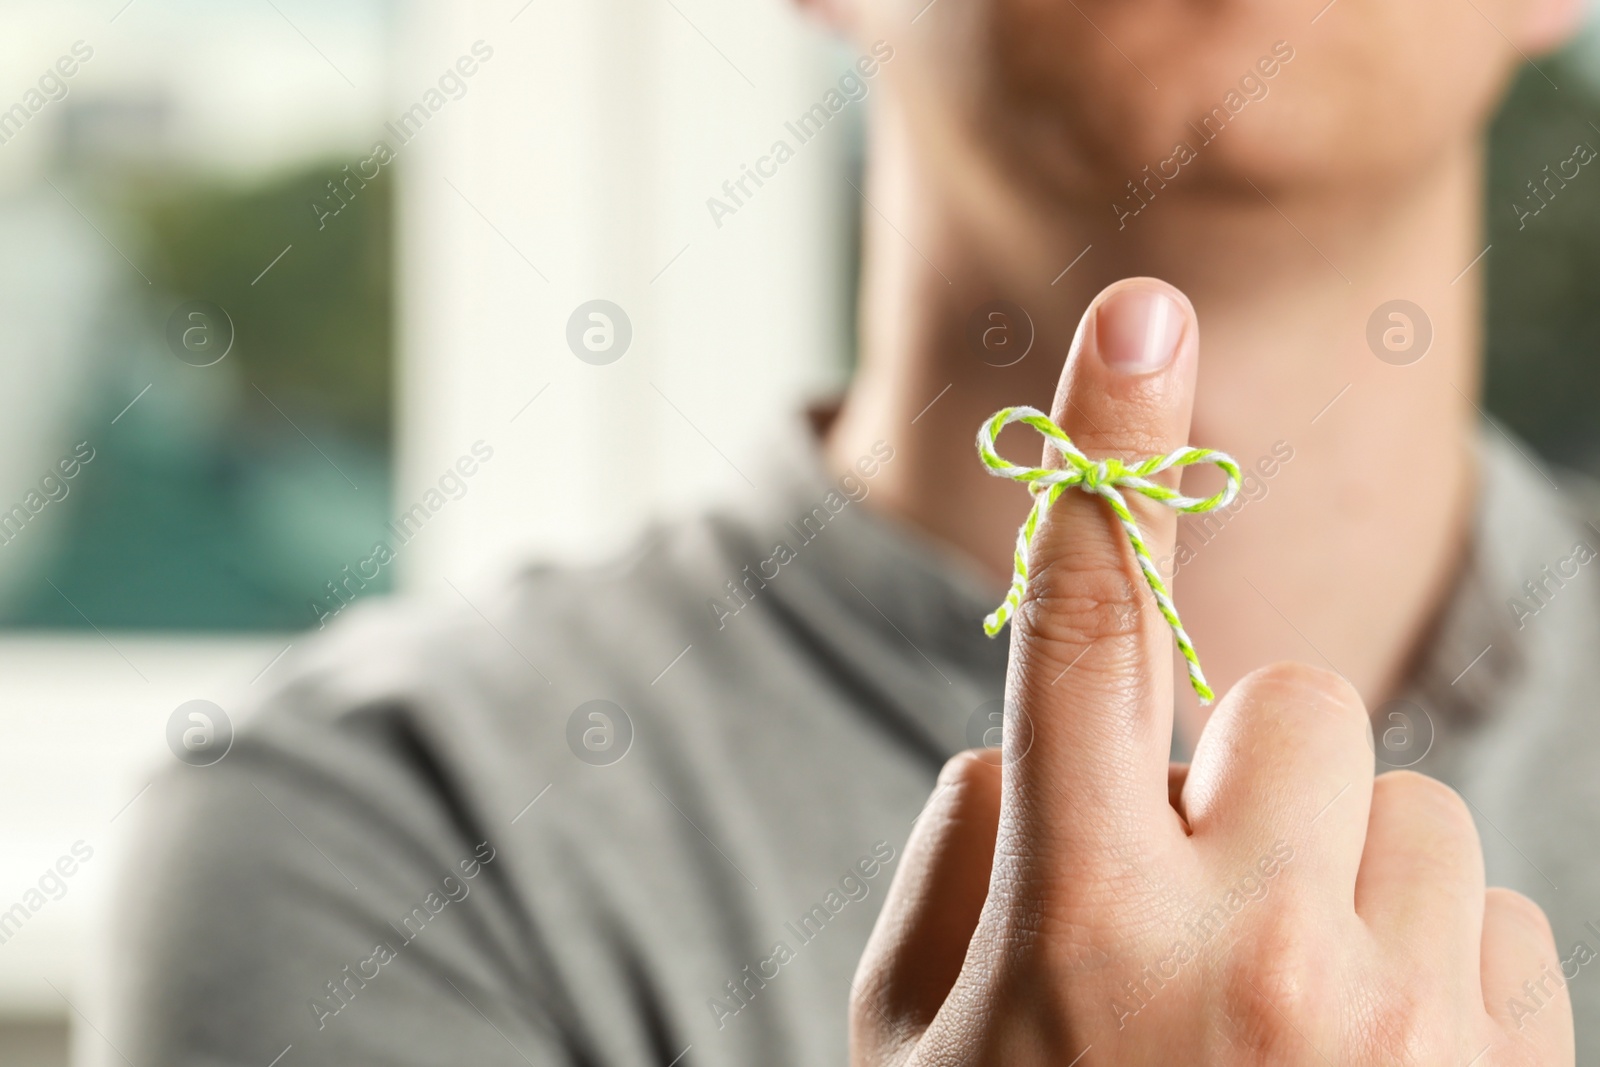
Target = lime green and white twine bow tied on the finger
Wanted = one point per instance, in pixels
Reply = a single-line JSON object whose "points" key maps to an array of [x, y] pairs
{"points": [[1106, 479]]}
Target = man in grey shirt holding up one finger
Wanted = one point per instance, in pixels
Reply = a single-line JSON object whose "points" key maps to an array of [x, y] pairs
{"points": [[513, 837]]}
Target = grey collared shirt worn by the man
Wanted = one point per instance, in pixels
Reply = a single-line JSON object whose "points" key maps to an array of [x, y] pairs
{"points": [[646, 813]]}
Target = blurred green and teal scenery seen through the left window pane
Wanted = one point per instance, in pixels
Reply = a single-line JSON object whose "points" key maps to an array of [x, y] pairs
{"points": [[230, 495]]}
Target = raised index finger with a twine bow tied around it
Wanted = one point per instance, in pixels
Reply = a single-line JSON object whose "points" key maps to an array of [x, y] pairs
{"points": [[1092, 663]]}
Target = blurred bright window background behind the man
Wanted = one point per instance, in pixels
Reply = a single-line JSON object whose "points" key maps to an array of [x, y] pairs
{"points": [[271, 268]]}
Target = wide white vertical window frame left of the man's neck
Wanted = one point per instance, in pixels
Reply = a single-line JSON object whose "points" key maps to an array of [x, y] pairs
{"points": [[591, 143]]}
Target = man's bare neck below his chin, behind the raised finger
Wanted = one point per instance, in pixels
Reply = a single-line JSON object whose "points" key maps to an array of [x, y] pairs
{"points": [[1345, 551]]}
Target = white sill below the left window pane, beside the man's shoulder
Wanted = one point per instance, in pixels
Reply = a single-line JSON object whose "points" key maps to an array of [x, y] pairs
{"points": [[86, 732]]}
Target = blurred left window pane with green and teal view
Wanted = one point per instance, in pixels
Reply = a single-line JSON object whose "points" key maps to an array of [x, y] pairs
{"points": [[196, 385]]}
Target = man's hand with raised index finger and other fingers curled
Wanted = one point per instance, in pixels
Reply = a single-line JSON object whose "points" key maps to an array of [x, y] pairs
{"points": [[1081, 903]]}
